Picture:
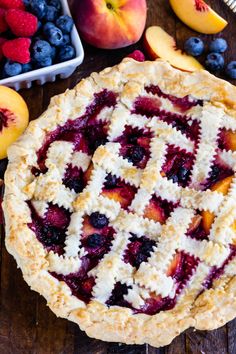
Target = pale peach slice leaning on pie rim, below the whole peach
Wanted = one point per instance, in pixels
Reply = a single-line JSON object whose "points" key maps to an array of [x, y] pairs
{"points": [[160, 44]]}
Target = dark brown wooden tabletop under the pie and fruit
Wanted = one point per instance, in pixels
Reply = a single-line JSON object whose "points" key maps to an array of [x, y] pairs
{"points": [[27, 326]]}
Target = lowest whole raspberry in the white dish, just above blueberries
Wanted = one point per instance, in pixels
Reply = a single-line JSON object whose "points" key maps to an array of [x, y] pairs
{"points": [[17, 50]]}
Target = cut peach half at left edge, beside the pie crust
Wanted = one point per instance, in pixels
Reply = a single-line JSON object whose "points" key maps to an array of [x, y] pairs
{"points": [[14, 118]]}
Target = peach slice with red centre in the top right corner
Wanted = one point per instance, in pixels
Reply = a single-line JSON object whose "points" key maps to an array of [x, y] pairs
{"points": [[198, 15]]}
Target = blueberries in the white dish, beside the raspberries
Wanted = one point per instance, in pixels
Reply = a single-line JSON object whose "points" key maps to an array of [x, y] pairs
{"points": [[50, 44]]}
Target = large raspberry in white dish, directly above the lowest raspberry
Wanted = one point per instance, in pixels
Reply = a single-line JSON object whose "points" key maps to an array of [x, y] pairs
{"points": [[21, 23]]}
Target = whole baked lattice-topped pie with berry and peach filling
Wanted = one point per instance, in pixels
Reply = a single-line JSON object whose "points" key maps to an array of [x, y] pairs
{"points": [[120, 203]]}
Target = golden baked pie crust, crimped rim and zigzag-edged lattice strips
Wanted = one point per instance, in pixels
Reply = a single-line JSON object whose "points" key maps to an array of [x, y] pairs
{"points": [[204, 310]]}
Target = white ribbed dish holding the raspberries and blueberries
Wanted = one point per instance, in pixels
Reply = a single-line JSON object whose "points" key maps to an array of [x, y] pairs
{"points": [[50, 73]]}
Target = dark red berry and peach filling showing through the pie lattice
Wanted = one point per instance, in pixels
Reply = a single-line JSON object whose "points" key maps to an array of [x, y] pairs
{"points": [[87, 133]]}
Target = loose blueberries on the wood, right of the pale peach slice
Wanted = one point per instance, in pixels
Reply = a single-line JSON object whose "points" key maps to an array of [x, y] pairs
{"points": [[215, 62]]}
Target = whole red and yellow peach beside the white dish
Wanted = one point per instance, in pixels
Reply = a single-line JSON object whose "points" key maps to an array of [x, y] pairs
{"points": [[110, 24]]}
